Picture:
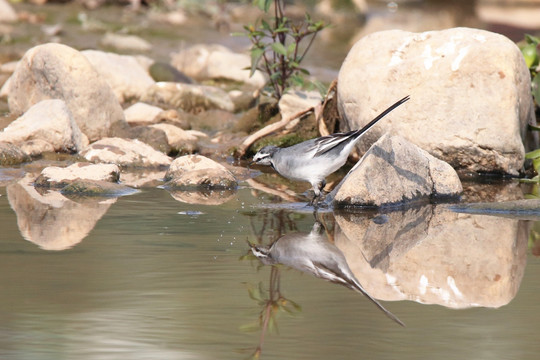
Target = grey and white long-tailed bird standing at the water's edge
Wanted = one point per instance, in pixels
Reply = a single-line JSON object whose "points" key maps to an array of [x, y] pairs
{"points": [[313, 160]]}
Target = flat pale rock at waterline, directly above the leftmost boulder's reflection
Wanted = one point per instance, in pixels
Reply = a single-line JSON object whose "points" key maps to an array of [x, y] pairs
{"points": [[58, 177]]}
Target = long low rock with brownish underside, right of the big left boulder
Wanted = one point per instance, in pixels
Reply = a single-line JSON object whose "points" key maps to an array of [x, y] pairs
{"points": [[188, 97]]}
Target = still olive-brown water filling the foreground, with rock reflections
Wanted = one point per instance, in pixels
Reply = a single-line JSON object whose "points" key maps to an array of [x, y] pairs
{"points": [[147, 276]]}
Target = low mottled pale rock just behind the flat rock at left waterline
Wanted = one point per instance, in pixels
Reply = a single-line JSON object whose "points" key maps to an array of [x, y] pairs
{"points": [[125, 153]]}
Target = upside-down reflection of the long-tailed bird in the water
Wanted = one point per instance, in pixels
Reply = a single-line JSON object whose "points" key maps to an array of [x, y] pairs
{"points": [[314, 254]]}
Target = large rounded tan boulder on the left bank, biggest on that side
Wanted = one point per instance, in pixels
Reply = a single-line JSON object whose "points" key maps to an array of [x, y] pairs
{"points": [[56, 71]]}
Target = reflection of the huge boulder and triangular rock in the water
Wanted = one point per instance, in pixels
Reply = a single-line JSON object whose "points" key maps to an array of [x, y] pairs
{"points": [[434, 256]]}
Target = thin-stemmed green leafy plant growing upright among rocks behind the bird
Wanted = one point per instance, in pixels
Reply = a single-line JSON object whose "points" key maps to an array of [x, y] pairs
{"points": [[277, 47]]}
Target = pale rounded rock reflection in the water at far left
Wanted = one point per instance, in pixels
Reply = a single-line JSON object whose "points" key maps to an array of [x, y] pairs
{"points": [[50, 220]]}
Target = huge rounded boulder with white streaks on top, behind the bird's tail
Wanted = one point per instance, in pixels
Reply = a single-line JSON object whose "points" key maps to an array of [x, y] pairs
{"points": [[470, 94]]}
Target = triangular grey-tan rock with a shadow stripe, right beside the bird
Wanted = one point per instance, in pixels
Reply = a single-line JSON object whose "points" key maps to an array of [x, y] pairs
{"points": [[396, 172]]}
